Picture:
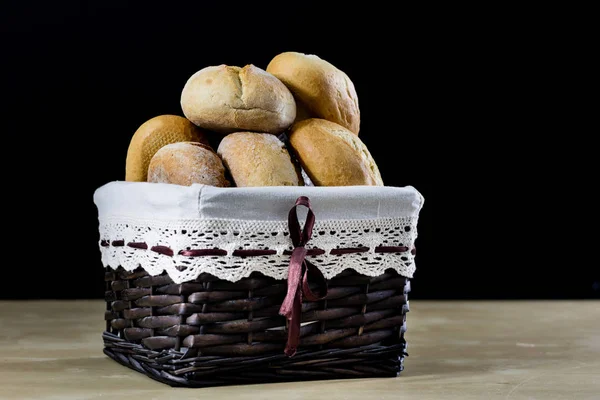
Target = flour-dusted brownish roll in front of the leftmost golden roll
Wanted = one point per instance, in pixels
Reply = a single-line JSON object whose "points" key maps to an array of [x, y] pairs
{"points": [[185, 163]]}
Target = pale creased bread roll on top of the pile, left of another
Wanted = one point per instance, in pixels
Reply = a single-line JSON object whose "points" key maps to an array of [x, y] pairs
{"points": [[227, 99]]}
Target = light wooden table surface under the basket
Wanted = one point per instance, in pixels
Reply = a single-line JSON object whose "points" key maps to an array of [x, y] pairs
{"points": [[458, 350]]}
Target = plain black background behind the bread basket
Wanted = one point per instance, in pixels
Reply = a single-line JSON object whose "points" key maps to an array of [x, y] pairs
{"points": [[459, 103]]}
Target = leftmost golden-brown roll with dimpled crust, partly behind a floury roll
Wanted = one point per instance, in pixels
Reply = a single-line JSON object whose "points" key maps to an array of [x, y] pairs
{"points": [[151, 136]]}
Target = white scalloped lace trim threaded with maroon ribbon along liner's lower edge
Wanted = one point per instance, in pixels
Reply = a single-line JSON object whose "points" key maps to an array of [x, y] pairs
{"points": [[232, 249]]}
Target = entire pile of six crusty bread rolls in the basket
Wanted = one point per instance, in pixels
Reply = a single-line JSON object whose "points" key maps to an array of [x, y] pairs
{"points": [[295, 123]]}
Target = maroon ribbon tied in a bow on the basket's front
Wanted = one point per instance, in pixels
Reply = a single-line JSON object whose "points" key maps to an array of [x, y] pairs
{"points": [[299, 274]]}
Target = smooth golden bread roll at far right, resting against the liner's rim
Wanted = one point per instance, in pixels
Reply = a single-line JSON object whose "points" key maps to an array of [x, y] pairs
{"points": [[331, 155]]}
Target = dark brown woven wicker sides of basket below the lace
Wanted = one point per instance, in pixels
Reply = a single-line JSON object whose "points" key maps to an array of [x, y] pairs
{"points": [[212, 332]]}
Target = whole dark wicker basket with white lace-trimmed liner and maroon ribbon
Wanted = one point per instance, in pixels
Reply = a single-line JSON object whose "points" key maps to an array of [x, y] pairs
{"points": [[211, 328]]}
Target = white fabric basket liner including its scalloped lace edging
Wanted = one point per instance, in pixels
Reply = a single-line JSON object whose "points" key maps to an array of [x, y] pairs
{"points": [[183, 218]]}
